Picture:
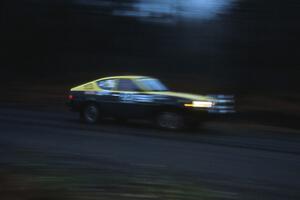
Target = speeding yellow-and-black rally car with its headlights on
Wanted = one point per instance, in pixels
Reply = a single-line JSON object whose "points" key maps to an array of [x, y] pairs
{"points": [[142, 97]]}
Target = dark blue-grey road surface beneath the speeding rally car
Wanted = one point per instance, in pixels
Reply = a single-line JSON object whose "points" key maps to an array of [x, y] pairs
{"points": [[245, 161]]}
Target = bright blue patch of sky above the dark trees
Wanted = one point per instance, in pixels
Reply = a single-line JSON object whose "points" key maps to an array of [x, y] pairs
{"points": [[168, 9]]}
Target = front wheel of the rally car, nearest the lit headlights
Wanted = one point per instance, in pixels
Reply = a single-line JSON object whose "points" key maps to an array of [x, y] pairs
{"points": [[170, 121]]}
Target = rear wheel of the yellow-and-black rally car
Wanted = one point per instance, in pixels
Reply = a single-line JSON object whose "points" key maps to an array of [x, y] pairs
{"points": [[90, 113]]}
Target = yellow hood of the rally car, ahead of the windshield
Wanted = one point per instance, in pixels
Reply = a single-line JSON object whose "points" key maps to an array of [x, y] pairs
{"points": [[193, 97]]}
